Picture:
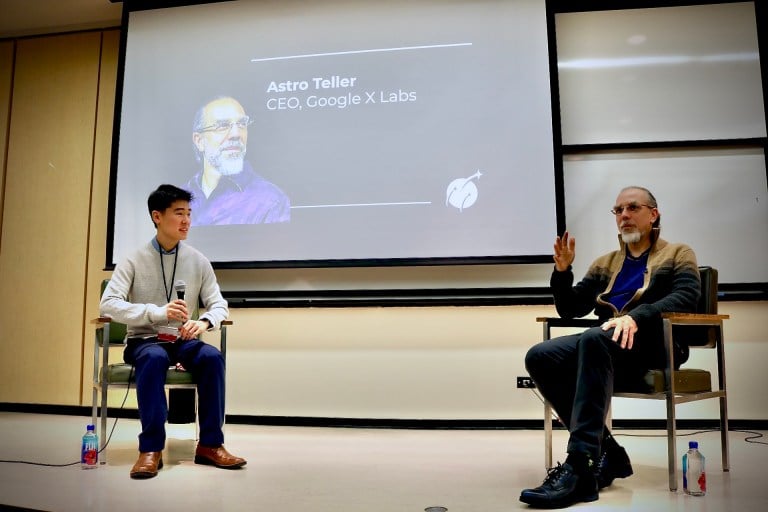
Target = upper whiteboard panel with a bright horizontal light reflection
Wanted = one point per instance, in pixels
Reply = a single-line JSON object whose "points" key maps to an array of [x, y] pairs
{"points": [[662, 74]]}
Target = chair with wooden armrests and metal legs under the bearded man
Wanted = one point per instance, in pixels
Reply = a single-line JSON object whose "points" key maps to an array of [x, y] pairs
{"points": [[703, 329]]}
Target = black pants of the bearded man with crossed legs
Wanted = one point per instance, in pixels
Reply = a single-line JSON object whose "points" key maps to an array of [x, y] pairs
{"points": [[577, 374]]}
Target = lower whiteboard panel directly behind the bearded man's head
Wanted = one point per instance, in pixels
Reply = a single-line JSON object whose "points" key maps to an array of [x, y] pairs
{"points": [[715, 200]]}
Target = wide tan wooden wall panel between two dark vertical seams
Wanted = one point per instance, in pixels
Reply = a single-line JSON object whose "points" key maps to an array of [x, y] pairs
{"points": [[46, 218]]}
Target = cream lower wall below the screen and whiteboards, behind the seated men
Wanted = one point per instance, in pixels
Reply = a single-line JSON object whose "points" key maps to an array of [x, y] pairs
{"points": [[437, 363]]}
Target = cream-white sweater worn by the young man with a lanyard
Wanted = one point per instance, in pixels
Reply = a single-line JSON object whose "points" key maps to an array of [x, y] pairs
{"points": [[136, 296]]}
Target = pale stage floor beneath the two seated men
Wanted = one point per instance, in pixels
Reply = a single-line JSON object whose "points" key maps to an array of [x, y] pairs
{"points": [[345, 470]]}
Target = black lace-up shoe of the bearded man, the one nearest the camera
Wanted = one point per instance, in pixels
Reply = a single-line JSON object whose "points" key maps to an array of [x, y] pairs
{"points": [[565, 484]]}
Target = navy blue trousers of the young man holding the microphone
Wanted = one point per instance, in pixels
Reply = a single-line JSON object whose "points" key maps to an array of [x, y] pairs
{"points": [[151, 361]]}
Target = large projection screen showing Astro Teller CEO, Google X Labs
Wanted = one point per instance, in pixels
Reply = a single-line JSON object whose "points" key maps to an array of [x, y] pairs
{"points": [[341, 132]]}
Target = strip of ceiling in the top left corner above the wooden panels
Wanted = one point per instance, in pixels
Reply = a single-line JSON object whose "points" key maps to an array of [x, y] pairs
{"points": [[33, 17]]}
